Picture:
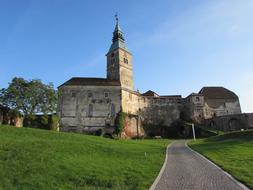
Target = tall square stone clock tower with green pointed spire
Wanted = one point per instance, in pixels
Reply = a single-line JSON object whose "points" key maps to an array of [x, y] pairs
{"points": [[119, 60]]}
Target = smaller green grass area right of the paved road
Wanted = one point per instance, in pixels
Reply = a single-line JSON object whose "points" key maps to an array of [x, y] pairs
{"points": [[233, 152]]}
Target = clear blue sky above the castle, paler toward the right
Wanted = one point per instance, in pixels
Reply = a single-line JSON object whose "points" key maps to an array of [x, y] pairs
{"points": [[178, 46]]}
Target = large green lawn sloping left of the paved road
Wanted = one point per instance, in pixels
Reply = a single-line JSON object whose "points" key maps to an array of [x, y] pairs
{"points": [[40, 159]]}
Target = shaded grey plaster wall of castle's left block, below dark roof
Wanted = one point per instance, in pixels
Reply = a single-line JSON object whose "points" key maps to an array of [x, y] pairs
{"points": [[83, 107]]}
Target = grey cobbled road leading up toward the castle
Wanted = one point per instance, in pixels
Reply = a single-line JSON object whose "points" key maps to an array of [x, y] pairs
{"points": [[187, 170]]}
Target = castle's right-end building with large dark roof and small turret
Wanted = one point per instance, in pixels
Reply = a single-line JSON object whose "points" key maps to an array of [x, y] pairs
{"points": [[212, 102]]}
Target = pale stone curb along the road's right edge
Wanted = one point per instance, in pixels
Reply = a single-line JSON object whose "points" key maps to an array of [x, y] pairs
{"points": [[226, 173]]}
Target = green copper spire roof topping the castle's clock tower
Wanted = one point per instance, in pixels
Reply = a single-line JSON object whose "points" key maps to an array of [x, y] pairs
{"points": [[118, 40]]}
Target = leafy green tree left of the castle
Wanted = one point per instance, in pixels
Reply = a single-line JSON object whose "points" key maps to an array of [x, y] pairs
{"points": [[29, 97]]}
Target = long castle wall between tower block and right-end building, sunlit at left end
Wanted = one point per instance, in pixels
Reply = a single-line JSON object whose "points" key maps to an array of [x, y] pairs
{"points": [[153, 110]]}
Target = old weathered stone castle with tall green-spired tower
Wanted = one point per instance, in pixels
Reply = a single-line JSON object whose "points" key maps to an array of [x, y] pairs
{"points": [[91, 104]]}
